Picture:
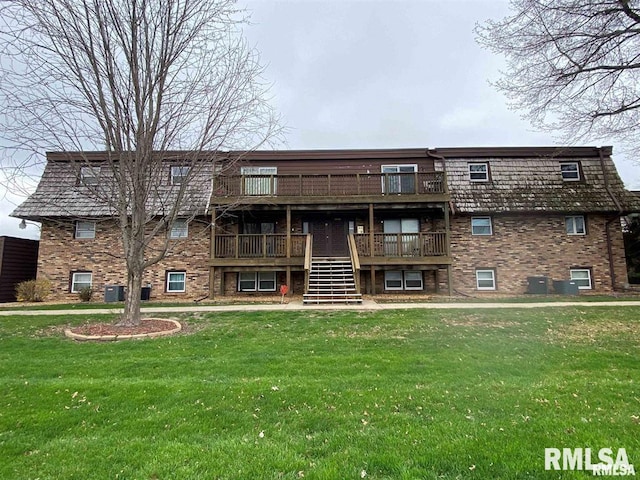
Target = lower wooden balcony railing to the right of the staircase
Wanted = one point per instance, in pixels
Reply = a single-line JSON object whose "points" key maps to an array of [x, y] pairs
{"points": [[431, 244]]}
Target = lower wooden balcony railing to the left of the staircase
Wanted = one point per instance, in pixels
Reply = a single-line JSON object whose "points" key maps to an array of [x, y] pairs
{"points": [[258, 246]]}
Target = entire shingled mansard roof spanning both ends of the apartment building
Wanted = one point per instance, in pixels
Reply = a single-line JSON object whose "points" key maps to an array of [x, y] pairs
{"points": [[520, 179]]}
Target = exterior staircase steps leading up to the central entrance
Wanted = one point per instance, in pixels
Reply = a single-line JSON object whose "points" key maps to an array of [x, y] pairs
{"points": [[331, 280]]}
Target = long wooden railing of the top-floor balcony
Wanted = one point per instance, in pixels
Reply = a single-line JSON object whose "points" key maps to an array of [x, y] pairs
{"points": [[332, 185]]}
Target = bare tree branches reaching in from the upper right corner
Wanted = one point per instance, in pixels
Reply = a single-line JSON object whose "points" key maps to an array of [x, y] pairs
{"points": [[572, 65]]}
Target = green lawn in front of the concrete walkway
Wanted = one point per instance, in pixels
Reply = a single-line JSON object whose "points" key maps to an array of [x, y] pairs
{"points": [[322, 395]]}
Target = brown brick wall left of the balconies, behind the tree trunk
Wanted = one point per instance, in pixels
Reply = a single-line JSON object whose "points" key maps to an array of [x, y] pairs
{"points": [[61, 254]]}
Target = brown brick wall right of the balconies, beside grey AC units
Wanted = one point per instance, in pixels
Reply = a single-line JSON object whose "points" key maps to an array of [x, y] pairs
{"points": [[535, 245]]}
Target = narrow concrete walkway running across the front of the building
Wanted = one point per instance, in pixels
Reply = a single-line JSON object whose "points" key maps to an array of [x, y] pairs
{"points": [[367, 305]]}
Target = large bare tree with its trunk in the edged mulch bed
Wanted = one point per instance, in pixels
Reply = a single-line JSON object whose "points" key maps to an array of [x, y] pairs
{"points": [[149, 82]]}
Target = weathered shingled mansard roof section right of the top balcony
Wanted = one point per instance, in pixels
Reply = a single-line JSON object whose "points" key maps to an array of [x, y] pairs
{"points": [[530, 180]]}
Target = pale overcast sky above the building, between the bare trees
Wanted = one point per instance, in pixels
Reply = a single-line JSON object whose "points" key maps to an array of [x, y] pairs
{"points": [[382, 74]]}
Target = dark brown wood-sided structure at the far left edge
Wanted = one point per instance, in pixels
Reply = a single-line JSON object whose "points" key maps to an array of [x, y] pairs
{"points": [[18, 262]]}
